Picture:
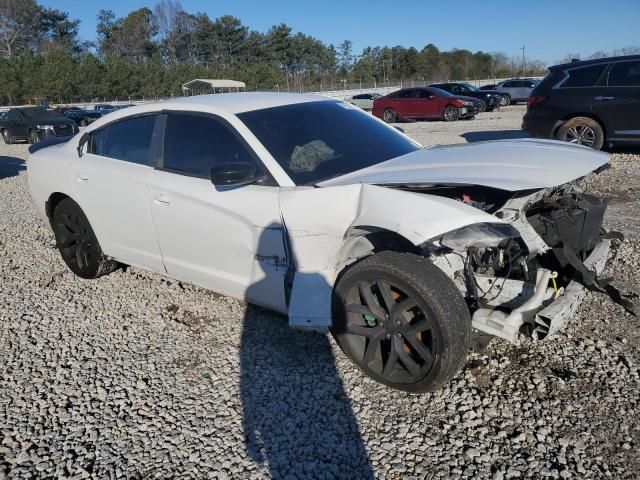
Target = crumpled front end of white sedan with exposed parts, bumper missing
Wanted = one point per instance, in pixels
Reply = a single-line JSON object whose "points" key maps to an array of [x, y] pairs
{"points": [[527, 276]]}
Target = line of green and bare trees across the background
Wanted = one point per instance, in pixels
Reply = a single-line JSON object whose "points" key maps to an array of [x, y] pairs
{"points": [[152, 52]]}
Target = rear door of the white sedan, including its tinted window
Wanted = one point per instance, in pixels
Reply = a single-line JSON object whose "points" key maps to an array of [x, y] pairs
{"points": [[110, 185]]}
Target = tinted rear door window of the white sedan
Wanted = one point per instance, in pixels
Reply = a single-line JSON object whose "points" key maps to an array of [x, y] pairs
{"points": [[128, 140]]}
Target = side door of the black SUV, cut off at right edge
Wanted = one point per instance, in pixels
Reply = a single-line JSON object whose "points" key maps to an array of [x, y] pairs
{"points": [[618, 103]]}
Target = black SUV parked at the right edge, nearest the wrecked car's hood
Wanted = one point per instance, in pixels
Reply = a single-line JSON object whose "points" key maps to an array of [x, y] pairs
{"points": [[591, 103]]}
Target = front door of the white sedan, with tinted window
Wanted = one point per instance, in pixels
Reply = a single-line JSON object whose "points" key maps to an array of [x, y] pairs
{"points": [[228, 239]]}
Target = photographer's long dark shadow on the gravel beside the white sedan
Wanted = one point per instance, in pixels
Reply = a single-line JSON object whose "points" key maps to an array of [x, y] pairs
{"points": [[297, 417]]}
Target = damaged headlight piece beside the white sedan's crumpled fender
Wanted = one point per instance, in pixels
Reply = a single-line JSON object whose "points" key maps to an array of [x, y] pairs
{"points": [[478, 235]]}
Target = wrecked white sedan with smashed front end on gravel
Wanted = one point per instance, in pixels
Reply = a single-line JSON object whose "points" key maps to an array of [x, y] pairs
{"points": [[308, 206]]}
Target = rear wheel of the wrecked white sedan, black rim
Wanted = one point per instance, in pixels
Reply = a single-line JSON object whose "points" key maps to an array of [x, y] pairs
{"points": [[77, 243]]}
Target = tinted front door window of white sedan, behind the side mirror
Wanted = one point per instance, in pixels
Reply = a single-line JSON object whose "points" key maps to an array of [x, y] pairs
{"points": [[194, 143]]}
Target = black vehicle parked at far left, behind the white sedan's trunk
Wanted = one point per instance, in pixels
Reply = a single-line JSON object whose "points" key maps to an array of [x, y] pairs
{"points": [[35, 123]]}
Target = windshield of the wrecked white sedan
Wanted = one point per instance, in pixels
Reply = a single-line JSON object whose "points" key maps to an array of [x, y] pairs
{"points": [[316, 141]]}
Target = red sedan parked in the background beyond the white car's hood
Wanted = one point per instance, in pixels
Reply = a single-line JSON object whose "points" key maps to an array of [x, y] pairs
{"points": [[423, 102]]}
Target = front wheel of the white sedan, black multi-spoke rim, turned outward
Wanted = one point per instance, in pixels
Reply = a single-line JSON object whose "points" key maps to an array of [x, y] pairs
{"points": [[402, 321]]}
